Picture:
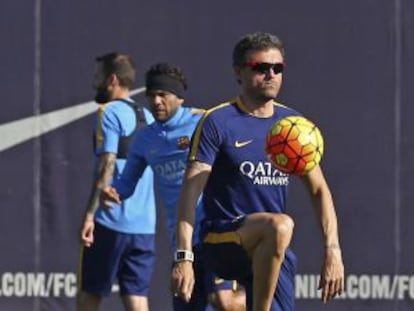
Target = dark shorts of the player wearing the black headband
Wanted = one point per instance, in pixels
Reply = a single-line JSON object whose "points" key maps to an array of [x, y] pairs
{"points": [[205, 283]]}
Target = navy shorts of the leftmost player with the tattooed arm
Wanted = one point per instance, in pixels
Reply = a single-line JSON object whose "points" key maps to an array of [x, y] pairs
{"points": [[116, 256]]}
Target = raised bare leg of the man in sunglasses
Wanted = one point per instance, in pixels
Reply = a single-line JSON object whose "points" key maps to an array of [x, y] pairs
{"points": [[265, 237]]}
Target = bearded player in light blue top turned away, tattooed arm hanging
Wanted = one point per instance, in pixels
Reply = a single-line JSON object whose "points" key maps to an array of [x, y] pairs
{"points": [[118, 244]]}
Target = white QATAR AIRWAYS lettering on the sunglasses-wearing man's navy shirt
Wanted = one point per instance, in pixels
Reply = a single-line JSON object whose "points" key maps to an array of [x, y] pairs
{"points": [[264, 173]]}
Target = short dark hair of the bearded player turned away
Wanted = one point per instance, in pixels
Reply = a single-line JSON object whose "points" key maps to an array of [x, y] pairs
{"points": [[120, 65]]}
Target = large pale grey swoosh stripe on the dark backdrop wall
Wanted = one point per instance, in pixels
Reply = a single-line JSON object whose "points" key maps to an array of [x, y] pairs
{"points": [[19, 131]]}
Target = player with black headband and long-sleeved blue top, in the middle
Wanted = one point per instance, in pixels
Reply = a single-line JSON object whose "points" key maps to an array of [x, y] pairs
{"points": [[164, 146]]}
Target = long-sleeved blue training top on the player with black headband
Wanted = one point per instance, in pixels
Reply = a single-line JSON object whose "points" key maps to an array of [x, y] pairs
{"points": [[165, 147]]}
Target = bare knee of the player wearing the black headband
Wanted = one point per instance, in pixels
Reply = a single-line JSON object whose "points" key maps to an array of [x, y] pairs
{"points": [[228, 300]]}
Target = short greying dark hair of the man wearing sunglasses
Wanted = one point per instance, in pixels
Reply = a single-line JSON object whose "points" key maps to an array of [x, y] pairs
{"points": [[258, 41]]}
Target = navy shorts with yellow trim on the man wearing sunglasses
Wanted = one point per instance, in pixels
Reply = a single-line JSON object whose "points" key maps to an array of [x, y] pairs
{"points": [[223, 254]]}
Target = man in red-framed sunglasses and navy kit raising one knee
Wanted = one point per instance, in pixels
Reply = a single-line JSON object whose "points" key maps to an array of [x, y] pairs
{"points": [[246, 231]]}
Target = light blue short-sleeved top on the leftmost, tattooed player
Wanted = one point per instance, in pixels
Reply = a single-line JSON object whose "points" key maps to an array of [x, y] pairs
{"points": [[137, 214]]}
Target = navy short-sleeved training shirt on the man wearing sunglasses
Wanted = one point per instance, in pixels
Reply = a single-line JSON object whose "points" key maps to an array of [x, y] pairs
{"points": [[242, 180]]}
